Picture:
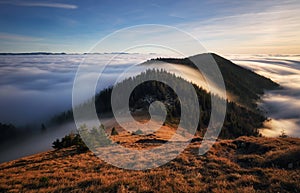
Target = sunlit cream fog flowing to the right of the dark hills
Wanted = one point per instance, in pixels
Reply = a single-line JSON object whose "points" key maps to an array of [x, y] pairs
{"points": [[283, 106]]}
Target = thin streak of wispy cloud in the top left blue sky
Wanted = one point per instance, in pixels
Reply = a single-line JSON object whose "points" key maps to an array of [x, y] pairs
{"points": [[41, 4]]}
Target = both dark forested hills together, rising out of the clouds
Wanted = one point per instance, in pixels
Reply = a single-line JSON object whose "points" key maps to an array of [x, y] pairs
{"points": [[240, 120]]}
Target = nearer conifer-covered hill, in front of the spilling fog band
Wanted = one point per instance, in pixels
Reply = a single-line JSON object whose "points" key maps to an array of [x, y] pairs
{"points": [[239, 121]]}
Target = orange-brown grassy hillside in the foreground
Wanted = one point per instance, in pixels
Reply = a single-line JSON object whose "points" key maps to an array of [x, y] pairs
{"points": [[246, 164]]}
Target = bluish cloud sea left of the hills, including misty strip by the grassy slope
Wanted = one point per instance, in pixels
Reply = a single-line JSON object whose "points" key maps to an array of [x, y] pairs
{"points": [[34, 88]]}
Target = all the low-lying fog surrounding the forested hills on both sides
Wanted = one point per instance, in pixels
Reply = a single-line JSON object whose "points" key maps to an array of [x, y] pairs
{"points": [[35, 87]]}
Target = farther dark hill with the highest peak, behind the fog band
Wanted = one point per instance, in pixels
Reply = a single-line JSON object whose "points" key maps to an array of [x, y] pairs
{"points": [[244, 84]]}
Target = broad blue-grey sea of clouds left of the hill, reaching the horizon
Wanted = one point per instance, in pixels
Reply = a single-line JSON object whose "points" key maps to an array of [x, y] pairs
{"points": [[34, 87]]}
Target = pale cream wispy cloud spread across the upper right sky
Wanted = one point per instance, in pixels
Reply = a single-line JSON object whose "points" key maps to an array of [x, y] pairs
{"points": [[274, 29]]}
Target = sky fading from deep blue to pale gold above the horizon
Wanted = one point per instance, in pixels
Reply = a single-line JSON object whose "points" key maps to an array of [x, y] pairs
{"points": [[224, 27]]}
